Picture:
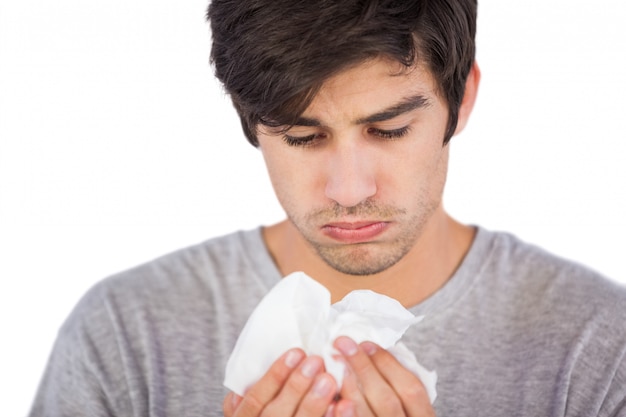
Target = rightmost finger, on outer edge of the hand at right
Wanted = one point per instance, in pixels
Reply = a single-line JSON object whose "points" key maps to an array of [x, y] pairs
{"points": [[405, 383]]}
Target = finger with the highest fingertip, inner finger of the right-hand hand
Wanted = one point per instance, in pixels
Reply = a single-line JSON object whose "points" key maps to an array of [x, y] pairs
{"points": [[380, 396]]}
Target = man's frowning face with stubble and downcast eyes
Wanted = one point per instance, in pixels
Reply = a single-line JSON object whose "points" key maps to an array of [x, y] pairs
{"points": [[362, 173]]}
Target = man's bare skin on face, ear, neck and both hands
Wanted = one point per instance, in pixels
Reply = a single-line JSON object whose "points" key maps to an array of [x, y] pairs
{"points": [[361, 180]]}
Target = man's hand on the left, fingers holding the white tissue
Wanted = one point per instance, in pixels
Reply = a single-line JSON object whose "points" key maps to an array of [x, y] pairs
{"points": [[295, 385]]}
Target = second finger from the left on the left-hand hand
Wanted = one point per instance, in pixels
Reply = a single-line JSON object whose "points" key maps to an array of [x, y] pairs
{"points": [[295, 388]]}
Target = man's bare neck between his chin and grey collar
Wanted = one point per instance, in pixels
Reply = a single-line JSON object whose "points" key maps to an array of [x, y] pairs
{"points": [[426, 268]]}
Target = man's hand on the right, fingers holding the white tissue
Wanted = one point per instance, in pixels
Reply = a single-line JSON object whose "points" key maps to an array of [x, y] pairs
{"points": [[376, 384]]}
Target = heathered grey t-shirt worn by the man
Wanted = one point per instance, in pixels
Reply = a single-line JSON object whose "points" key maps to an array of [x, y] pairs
{"points": [[515, 332]]}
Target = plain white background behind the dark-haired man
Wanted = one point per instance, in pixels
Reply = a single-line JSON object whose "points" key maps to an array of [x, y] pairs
{"points": [[117, 146]]}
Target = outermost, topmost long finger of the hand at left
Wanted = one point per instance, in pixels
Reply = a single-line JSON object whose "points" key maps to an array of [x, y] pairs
{"points": [[266, 389]]}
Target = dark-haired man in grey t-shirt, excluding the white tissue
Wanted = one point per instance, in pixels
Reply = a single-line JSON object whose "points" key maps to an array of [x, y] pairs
{"points": [[353, 105]]}
